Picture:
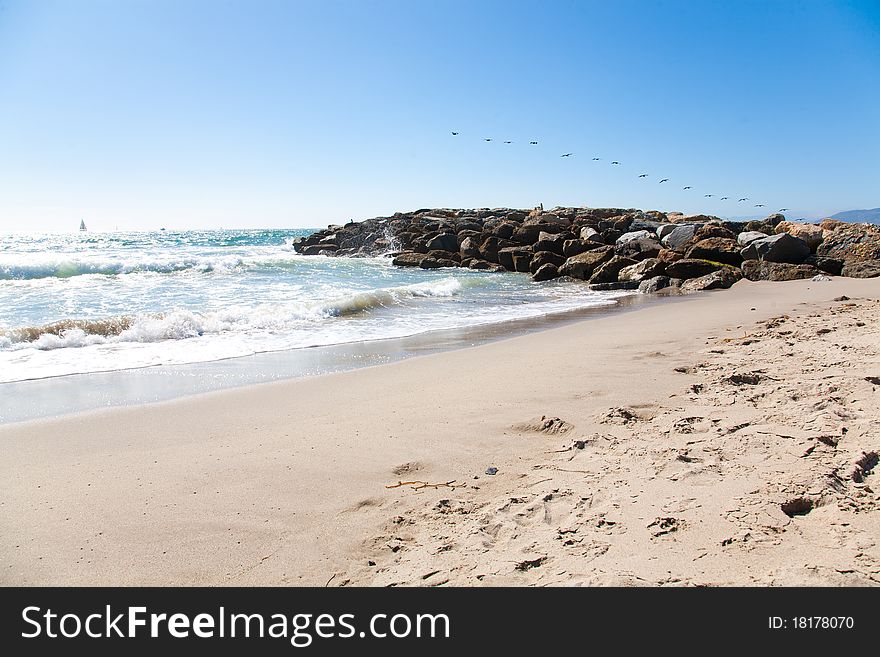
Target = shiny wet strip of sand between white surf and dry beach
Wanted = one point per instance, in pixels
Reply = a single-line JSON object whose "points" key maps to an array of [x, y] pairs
{"points": [[95, 391]]}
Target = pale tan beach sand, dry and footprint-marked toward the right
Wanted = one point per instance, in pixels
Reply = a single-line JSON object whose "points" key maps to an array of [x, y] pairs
{"points": [[689, 430]]}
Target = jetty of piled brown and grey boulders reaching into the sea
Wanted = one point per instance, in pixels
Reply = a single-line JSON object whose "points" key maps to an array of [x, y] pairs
{"points": [[611, 248]]}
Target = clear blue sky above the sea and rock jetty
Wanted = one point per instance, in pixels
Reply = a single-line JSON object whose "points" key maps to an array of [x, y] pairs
{"points": [[206, 114]]}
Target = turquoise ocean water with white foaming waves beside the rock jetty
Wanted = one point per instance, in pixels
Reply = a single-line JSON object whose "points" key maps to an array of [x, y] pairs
{"points": [[79, 303]]}
